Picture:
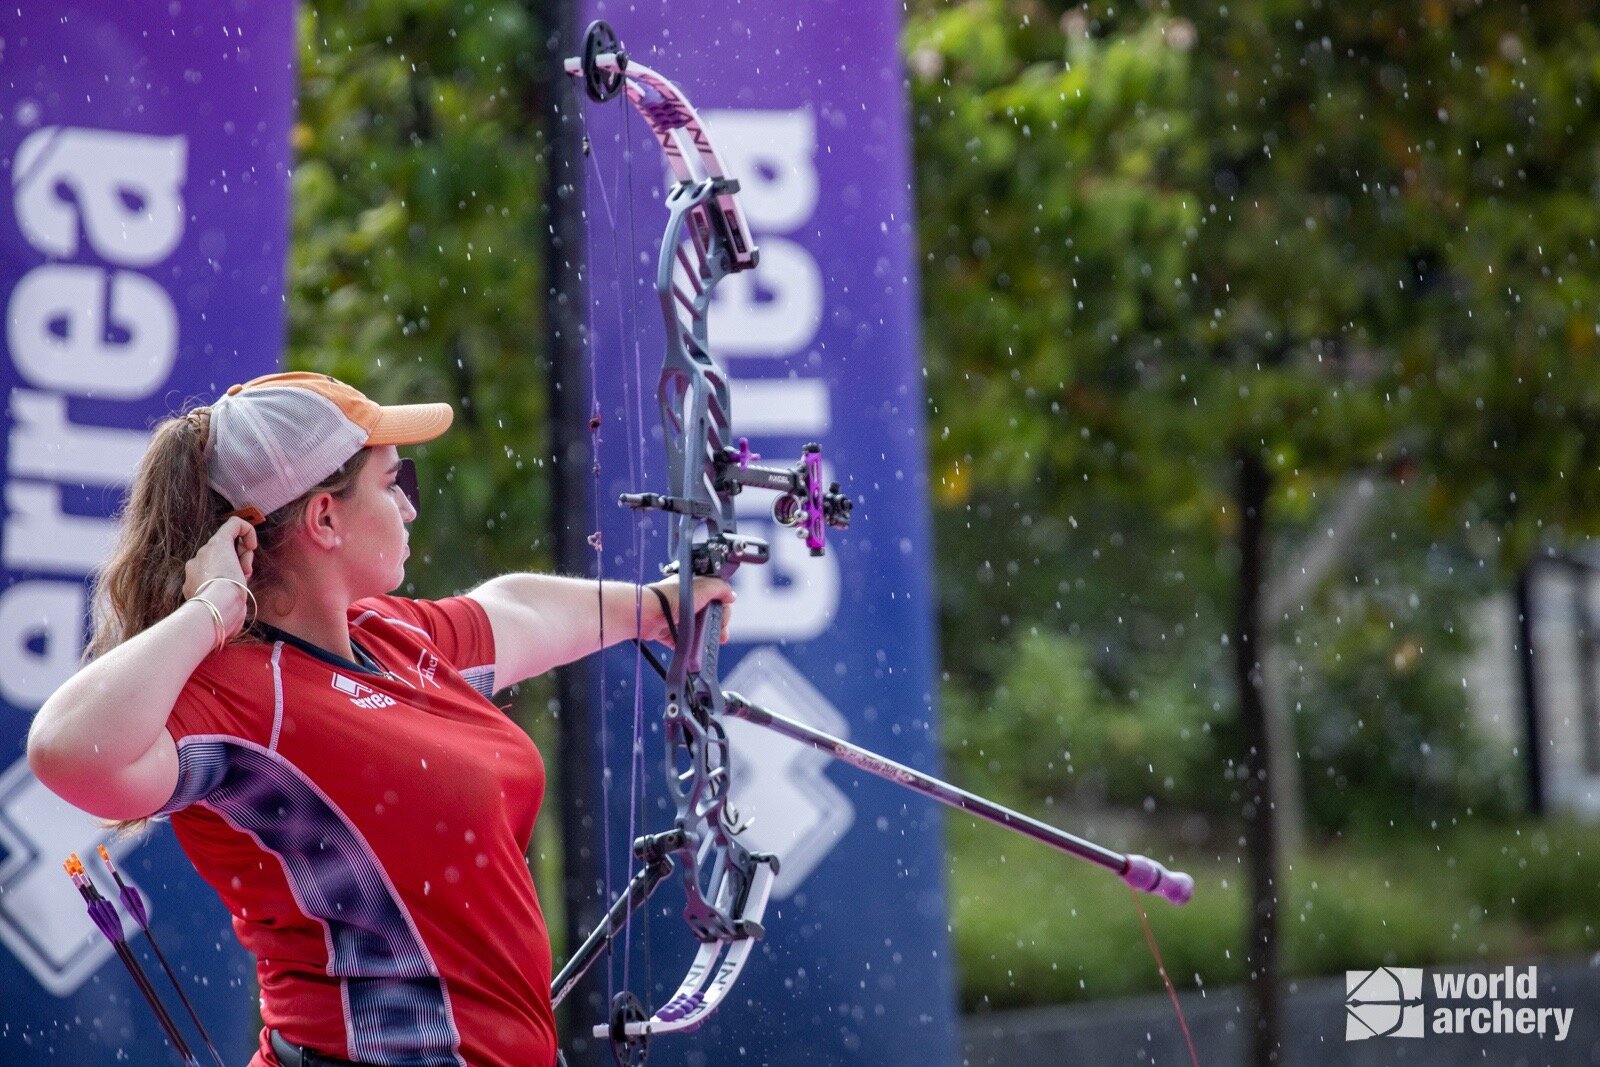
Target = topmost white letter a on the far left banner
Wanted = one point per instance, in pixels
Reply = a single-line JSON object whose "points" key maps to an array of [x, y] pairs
{"points": [[126, 190]]}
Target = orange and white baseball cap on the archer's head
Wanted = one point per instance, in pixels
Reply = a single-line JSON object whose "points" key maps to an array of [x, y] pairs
{"points": [[281, 436]]}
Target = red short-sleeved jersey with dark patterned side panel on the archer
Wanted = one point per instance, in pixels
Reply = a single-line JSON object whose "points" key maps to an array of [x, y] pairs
{"points": [[367, 825]]}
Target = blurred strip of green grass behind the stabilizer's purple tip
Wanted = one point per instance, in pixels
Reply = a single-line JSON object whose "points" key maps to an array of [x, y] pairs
{"points": [[1033, 929]]}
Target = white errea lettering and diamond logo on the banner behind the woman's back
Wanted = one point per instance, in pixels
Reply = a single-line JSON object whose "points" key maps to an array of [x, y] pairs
{"points": [[92, 329]]}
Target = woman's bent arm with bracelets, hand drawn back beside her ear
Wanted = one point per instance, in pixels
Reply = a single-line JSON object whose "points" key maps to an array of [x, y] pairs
{"points": [[102, 740]]}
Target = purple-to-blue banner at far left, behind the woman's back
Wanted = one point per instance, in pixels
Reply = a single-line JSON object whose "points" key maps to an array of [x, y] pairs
{"points": [[142, 265]]}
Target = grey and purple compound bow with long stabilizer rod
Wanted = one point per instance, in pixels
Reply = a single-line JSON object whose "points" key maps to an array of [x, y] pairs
{"points": [[726, 884]]}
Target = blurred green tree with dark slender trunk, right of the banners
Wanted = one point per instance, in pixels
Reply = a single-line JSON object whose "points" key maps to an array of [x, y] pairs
{"points": [[1228, 262]]}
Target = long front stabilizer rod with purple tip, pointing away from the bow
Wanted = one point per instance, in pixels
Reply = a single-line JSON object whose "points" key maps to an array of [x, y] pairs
{"points": [[1142, 873]]}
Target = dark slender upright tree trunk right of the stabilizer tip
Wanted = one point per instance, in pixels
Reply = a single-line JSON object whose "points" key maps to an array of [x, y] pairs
{"points": [[1262, 953]]}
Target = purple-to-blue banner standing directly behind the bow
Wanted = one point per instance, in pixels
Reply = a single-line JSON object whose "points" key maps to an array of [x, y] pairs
{"points": [[807, 105]]}
